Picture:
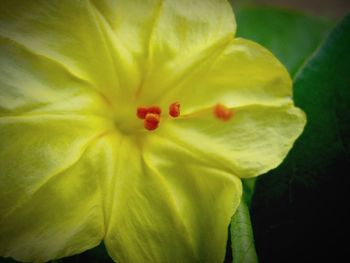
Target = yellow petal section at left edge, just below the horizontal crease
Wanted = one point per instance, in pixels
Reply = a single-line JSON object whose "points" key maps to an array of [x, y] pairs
{"points": [[34, 147]]}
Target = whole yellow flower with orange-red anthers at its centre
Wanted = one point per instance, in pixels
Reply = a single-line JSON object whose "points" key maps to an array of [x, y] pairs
{"points": [[78, 166]]}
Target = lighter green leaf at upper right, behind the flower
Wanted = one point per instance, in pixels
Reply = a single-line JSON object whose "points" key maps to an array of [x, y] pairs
{"points": [[291, 36]]}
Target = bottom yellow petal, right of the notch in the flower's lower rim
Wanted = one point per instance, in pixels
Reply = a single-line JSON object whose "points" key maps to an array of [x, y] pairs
{"points": [[161, 204]]}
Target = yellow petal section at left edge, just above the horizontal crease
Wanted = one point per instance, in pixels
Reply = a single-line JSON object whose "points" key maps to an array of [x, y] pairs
{"points": [[30, 83]]}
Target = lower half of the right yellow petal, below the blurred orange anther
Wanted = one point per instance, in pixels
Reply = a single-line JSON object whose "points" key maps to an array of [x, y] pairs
{"points": [[254, 141]]}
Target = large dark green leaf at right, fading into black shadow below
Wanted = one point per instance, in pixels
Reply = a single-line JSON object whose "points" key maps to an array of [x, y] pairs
{"points": [[300, 208]]}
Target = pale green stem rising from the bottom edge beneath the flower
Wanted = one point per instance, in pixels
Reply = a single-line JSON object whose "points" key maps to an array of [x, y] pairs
{"points": [[242, 240]]}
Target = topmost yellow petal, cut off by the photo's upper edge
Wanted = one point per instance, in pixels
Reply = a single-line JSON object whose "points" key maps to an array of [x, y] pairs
{"points": [[167, 37]]}
